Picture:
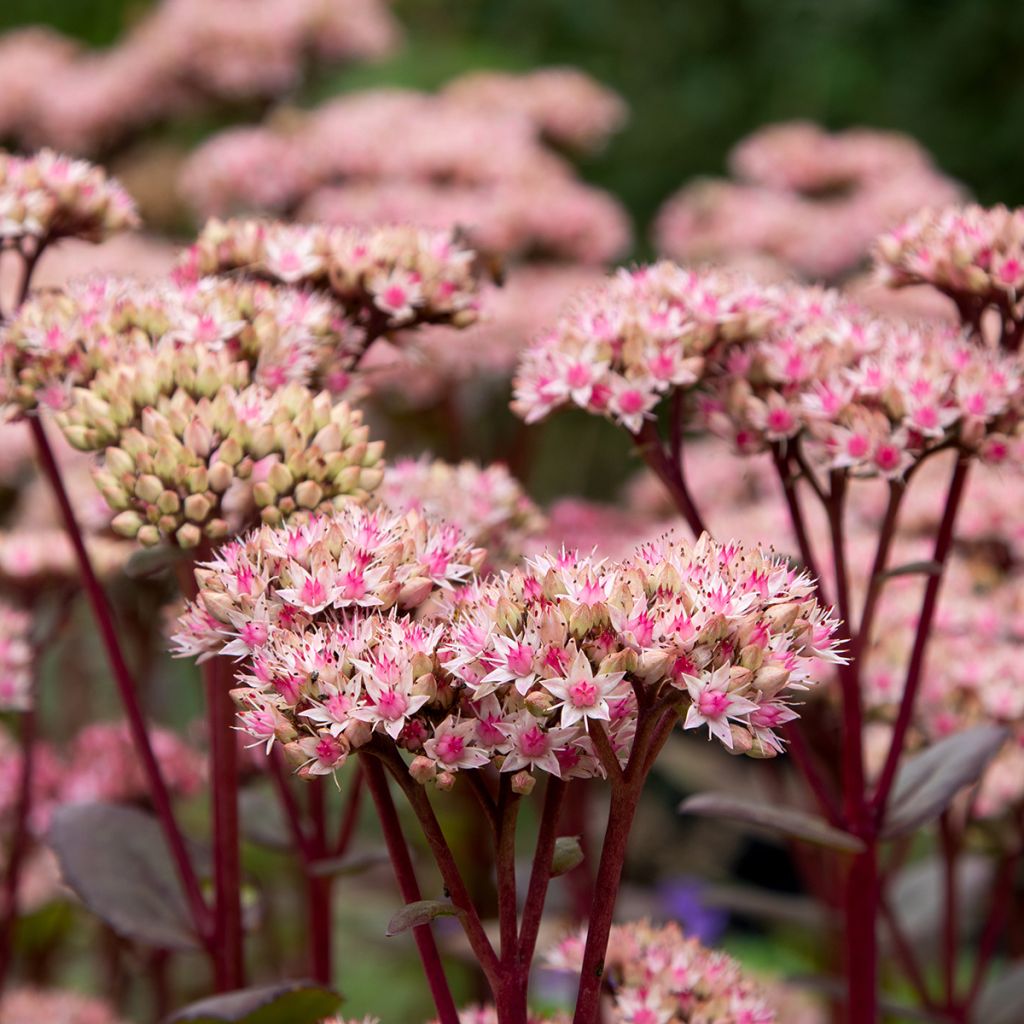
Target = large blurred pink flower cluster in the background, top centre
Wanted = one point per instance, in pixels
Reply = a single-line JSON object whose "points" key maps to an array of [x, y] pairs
{"points": [[403, 156]]}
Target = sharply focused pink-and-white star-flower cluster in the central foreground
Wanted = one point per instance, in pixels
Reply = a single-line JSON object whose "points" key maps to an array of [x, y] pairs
{"points": [[519, 670]]}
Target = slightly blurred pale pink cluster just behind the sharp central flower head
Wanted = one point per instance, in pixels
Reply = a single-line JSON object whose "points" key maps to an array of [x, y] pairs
{"points": [[488, 504]]}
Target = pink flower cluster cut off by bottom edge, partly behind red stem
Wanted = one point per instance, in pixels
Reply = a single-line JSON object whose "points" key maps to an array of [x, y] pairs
{"points": [[656, 974]]}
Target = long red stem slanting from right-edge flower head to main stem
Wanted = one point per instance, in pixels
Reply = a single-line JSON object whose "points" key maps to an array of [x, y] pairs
{"points": [[944, 544]]}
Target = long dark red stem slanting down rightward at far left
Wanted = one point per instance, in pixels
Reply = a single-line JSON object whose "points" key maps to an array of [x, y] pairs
{"points": [[104, 617]]}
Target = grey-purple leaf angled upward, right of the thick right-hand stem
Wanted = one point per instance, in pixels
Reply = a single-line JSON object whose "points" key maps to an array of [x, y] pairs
{"points": [[928, 782]]}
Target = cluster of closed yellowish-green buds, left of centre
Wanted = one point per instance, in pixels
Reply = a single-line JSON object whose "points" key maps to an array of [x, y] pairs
{"points": [[193, 451]]}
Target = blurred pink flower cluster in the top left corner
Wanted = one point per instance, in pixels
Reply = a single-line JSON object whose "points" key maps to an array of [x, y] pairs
{"points": [[185, 55]]}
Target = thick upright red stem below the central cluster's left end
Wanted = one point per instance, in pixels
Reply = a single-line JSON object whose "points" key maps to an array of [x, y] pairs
{"points": [[229, 966]]}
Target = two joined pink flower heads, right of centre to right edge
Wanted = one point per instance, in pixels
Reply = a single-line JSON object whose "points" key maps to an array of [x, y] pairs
{"points": [[770, 364]]}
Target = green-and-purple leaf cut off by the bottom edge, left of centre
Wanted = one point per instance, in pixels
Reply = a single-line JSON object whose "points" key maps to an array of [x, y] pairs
{"points": [[285, 1003]]}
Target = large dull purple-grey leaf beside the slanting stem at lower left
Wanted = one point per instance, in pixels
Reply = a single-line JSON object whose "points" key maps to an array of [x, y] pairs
{"points": [[116, 861]]}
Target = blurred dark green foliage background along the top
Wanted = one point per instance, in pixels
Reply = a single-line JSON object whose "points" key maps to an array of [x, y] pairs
{"points": [[701, 74]]}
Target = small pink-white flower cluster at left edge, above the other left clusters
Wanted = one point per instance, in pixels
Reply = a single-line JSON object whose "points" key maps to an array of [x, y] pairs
{"points": [[49, 197]]}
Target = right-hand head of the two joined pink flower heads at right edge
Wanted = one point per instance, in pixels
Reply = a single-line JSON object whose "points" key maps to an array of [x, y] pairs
{"points": [[870, 396]]}
